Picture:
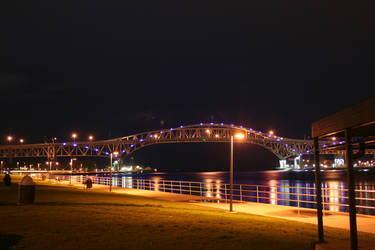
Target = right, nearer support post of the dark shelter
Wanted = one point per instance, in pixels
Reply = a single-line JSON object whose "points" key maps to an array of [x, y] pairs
{"points": [[351, 186]]}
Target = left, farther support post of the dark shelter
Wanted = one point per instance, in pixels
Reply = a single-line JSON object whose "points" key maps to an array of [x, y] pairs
{"points": [[318, 192]]}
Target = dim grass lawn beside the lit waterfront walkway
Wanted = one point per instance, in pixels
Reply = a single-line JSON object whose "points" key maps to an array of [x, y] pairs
{"points": [[67, 218]]}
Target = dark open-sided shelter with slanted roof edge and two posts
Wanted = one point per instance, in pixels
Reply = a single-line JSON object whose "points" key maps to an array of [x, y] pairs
{"points": [[356, 124]]}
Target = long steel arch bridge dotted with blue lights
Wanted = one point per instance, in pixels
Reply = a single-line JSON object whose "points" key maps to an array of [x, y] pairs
{"points": [[203, 132]]}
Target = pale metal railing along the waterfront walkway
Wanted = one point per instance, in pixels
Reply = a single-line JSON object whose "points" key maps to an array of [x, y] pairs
{"points": [[335, 199]]}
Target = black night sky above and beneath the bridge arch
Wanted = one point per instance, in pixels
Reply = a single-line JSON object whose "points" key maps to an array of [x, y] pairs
{"points": [[113, 68]]}
